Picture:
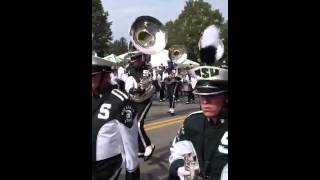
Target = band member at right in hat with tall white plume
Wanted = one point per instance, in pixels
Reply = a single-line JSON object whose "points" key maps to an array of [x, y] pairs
{"points": [[201, 147]]}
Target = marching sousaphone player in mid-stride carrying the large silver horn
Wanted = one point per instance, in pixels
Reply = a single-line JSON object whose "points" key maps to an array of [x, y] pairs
{"points": [[147, 36]]}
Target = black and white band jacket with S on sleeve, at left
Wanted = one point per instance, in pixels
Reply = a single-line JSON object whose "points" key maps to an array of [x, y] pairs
{"points": [[114, 130]]}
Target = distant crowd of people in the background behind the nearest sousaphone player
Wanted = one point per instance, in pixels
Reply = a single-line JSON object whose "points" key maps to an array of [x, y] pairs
{"points": [[169, 86]]}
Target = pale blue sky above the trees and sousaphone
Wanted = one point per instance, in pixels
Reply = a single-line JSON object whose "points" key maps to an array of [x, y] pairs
{"points": [[123, 12]]}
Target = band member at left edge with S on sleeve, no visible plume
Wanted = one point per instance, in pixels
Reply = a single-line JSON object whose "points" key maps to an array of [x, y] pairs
{"points": [[114, 127]]}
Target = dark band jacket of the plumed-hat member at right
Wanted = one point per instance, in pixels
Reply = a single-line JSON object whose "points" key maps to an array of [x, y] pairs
{"points": [[209, 140]]}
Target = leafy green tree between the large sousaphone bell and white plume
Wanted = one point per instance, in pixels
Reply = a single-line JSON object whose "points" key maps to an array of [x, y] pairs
{"points": [[187, 28]]}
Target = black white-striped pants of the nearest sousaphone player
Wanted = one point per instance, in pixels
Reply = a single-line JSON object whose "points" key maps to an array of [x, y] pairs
{"points": [[142, 111]]}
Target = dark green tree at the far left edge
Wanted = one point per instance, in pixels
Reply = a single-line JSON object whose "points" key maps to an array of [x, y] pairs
{"points": [[102, 34]]}
